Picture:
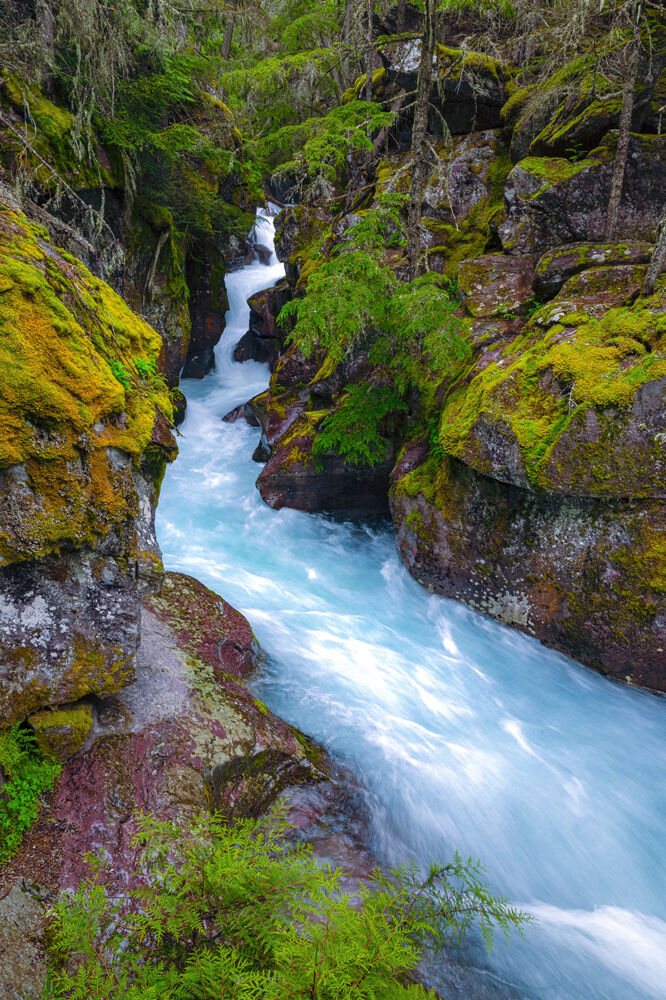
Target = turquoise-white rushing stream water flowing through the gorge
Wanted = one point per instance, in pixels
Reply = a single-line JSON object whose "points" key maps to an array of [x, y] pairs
{"points": [[466, 734]]}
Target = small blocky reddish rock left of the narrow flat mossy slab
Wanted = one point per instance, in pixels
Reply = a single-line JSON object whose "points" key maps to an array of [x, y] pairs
{"points": [[494, 284]]}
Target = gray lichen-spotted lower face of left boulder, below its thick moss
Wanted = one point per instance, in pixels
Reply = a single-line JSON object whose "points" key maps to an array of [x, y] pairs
{"points": [[70, 623]]}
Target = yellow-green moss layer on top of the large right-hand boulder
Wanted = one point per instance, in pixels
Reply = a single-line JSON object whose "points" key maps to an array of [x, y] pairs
{"points": [[596, 364]]}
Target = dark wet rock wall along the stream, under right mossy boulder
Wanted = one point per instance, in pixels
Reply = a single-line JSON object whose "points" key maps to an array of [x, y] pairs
{"points": [[583, 576]]}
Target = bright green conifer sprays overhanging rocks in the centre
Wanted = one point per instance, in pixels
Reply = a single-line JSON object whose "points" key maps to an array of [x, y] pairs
{"points": [[355, 301]]}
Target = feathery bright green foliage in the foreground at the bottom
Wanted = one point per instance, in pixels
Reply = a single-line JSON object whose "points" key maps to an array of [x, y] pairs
{"points": [[241, 912]]}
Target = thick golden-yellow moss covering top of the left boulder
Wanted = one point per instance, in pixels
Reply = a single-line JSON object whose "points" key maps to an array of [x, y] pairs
{"points": [[61, 406]]}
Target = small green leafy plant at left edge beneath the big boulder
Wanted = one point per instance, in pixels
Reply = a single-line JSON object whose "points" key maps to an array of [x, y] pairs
{"points": [[27, 776]]}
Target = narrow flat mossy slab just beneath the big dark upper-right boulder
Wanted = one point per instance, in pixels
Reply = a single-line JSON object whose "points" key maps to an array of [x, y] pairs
{"points": [[561, 263]]}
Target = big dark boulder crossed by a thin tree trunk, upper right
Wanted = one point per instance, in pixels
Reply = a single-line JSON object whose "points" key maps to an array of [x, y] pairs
{"points": [[549, 202]]}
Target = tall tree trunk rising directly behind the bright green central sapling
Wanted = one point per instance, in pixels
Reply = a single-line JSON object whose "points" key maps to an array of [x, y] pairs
{"points": [[420, 146]]}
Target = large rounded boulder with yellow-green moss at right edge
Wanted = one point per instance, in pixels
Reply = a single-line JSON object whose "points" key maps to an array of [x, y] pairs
{"points": [[573, 405]]}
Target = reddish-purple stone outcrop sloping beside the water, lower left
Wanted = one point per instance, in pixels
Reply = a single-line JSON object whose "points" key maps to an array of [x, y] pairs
{"points": [[185, 735]]}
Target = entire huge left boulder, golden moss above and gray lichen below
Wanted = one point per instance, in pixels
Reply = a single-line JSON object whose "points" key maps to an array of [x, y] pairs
{"points": [[85, 440]]}
